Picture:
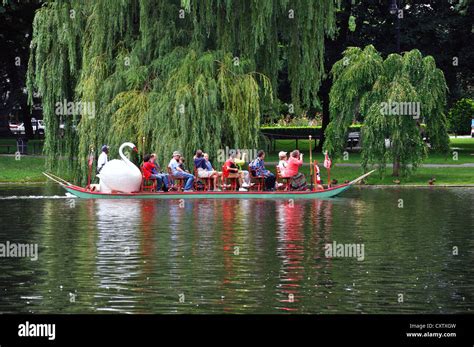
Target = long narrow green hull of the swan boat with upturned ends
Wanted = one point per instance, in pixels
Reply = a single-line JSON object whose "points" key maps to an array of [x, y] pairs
{"points": [[87, 194]]}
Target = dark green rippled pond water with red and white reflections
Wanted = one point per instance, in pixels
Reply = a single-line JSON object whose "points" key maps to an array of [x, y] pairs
{"points": [[239, 256]]}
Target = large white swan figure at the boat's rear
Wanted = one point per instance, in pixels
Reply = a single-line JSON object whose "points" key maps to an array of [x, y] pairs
{"points": [[120, 175]]}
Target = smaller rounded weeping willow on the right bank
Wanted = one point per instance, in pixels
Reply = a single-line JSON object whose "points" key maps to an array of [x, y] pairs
{"points": [[393, 96]]}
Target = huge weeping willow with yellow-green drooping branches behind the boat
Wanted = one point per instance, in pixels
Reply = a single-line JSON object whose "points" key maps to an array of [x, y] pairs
{"points": [[183, 74]]}
